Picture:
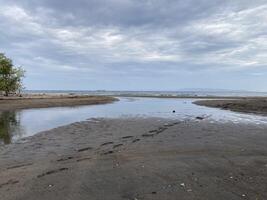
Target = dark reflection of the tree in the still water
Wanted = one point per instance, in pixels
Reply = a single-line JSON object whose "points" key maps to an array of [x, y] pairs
{"points": [[9, 126]]}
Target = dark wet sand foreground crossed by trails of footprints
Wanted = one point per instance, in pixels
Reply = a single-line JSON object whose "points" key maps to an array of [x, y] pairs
{"points": [[137, 159]]}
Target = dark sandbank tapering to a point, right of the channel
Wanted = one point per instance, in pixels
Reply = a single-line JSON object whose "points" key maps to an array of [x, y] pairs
{"points": [[249, 105]]}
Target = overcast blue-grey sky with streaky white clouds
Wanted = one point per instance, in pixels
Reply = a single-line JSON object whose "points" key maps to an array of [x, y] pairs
{"points": [[137, 44]]}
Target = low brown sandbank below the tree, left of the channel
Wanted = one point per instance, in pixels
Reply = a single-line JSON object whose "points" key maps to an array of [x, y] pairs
{"points": [[45, 101]]}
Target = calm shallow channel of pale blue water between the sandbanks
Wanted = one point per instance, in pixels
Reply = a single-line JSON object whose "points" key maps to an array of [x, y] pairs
{"points": [[15, 125]]}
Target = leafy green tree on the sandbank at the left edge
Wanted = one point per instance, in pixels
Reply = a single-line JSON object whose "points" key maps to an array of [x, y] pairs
{"points": [[10, 76]]}
